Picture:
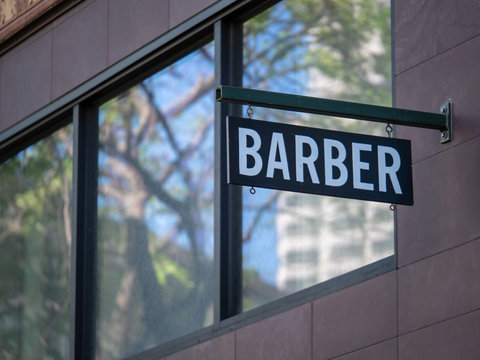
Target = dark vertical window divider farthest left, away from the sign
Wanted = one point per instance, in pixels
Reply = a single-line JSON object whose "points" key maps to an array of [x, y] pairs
{"points": [[84, 231]]}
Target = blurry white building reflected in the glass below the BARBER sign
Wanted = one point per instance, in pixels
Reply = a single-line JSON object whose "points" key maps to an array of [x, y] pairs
{"points": [[333, 237]]}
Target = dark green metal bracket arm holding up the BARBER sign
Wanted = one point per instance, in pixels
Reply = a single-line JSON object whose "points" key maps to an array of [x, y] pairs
{"points": [[438, 121]]}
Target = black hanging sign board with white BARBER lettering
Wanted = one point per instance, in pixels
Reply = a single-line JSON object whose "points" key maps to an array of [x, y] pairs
{"points": [[317, 161]]}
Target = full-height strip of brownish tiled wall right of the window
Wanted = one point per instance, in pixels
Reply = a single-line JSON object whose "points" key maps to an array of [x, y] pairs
{"points": [[437, 57]]}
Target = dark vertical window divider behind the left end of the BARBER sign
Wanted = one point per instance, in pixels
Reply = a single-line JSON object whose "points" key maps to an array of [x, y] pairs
{"points": [[228, 199]]}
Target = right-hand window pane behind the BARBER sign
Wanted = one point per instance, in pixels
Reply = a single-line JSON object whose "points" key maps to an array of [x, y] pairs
{"points": [[337, 50]]}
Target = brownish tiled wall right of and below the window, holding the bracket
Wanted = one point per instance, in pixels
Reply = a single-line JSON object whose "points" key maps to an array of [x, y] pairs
{"points": [[430, 307]]}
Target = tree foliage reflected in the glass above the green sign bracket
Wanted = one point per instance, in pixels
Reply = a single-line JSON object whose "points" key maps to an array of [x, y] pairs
{"points": [[347, 41]]}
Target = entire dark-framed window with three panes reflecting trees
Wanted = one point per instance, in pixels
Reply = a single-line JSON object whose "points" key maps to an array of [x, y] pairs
{"points": [[164, 252]]}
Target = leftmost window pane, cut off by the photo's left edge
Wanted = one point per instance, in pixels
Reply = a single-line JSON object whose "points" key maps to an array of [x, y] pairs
{"points": [[35, 245]]}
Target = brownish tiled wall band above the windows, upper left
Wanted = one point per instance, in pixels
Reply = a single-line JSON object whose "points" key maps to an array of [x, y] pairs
{"points": [[78, 45]]}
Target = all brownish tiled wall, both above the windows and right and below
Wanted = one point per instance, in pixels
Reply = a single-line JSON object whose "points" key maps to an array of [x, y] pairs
{"points": [[430, 307]]}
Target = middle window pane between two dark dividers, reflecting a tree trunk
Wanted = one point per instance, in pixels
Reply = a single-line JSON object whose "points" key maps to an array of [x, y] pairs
{"points": [[155, 209]]}
